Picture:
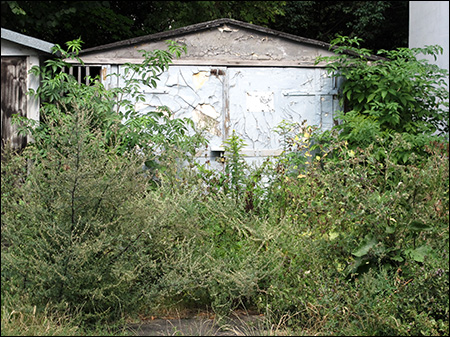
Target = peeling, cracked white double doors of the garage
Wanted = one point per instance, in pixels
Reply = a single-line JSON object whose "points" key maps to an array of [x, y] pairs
{"points": [[251, 101]]}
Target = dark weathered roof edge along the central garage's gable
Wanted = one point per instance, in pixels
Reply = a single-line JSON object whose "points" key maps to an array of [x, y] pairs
{"points": [[204, 26]]}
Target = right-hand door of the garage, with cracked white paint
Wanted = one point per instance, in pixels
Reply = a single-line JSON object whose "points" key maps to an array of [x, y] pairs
{"points": [[260, 98]]}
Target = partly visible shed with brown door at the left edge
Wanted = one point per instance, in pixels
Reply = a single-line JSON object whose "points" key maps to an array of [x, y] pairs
{"points": [[19, 53]]}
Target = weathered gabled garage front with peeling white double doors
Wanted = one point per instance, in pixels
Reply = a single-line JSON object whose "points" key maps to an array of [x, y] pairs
{"points": [[235, 76]]}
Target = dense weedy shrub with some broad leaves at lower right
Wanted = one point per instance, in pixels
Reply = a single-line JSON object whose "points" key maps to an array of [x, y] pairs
{"points": [[378, 227]]}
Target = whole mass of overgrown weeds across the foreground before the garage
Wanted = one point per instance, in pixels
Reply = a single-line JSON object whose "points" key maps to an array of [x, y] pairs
{"points": [[345, 240]]}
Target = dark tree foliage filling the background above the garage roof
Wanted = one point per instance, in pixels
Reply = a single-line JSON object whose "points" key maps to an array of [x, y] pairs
{"points": [[109, 21]]}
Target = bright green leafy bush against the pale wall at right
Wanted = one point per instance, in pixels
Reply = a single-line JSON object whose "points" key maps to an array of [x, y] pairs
{"points": [[402, 92]]}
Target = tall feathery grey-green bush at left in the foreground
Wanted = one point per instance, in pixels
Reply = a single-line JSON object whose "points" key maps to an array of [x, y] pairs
{"points": [[70, 233]]}
